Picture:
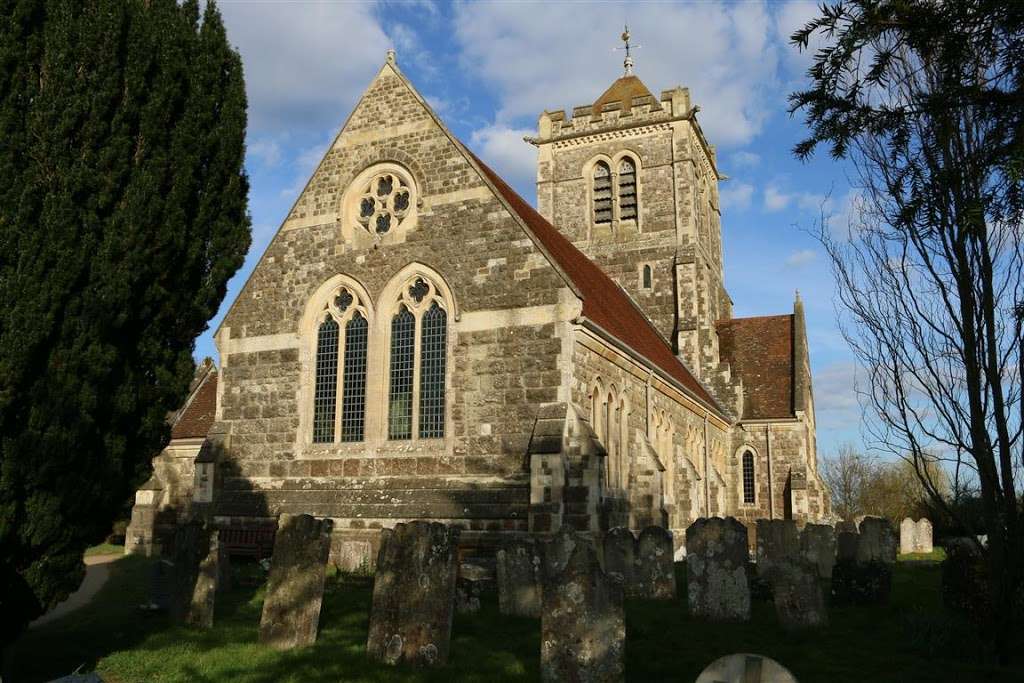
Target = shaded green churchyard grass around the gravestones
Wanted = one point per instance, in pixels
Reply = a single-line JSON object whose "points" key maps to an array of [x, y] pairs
{"points": [[913, 639]]}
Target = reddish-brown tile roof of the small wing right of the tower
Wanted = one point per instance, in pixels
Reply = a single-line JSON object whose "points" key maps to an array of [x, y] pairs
{"points": [[760, 351]]}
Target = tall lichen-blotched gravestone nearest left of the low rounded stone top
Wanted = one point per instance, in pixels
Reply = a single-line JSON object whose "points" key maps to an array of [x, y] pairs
{"points": [[583, 622]]}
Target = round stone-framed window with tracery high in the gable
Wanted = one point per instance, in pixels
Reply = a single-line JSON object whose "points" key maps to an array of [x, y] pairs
{"points": [[380, 206]]}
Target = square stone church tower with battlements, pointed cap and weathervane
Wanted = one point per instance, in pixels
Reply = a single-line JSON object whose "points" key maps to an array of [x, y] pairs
{"points": [[632, 182]]}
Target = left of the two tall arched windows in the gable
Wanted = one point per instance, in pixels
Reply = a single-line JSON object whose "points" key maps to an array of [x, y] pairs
{"points": [[337, 330]]}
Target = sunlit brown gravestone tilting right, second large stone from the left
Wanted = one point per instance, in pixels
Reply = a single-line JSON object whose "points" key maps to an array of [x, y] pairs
{"points": [[295, 587]]}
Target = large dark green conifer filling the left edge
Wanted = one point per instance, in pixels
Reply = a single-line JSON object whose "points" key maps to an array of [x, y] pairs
{"points": [[123, 215]]}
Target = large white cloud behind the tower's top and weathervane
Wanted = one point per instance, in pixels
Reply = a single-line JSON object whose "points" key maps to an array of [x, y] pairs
{"points": [[729, 58]]}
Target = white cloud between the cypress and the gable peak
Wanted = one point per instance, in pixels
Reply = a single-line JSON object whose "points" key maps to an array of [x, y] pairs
{"points": [[302, 72]]}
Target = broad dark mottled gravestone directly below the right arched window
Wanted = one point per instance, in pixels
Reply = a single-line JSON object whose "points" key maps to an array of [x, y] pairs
{"points": [[414, 594]]}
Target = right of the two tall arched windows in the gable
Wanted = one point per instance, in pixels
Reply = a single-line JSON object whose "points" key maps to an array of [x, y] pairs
{"points": [[416, 313]]}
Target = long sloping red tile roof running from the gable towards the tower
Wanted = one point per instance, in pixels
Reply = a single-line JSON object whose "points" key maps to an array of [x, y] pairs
{"points": [[604, 302]]}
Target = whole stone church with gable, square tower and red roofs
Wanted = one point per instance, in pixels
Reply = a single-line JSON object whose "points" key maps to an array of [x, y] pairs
{"points": [[419, 343]]}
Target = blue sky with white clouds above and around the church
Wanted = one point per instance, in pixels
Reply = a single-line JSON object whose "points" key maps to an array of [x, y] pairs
{"points": [[489, 69]]}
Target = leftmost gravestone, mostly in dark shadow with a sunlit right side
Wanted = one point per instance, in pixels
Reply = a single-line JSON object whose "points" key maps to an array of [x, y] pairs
{"points": [[197, 552]]}
